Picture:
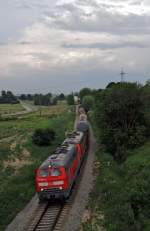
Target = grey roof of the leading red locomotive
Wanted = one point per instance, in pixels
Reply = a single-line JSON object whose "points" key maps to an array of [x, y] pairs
{"points": [[63, 156]]}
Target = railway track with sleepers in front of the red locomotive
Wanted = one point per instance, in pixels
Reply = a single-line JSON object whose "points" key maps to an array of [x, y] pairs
{"points": [[51, 216]]}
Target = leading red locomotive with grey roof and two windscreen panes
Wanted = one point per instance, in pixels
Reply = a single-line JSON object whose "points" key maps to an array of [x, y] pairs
{"points": [[53, 178]]}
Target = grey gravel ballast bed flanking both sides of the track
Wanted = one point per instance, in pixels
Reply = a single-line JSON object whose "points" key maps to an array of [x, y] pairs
{"points": [[72, 211]]}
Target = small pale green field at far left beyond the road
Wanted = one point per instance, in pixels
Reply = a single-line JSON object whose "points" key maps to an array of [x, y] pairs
{"points": [[10, 108]]}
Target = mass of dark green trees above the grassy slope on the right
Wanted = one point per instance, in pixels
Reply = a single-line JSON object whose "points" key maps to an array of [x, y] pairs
{"points": [[121, 114]]}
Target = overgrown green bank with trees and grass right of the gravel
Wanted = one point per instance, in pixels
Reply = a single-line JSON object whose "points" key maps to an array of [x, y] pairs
{"points": [[120, 199]]}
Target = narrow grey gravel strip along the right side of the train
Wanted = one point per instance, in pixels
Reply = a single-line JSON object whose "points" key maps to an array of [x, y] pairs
{"points": [[75, 216]]}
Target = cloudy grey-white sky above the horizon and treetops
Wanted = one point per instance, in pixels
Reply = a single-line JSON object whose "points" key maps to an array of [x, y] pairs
{"points": [[64, 45]]}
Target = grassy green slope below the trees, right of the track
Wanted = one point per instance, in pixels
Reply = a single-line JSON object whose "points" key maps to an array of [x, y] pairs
{"points": [[120, 197]]}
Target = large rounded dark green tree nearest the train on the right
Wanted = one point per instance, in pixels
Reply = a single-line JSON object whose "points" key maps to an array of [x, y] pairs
{"points": [[120, 118]]}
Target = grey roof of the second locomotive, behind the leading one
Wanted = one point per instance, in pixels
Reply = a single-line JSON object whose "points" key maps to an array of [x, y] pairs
{"points": [[74, 138]]}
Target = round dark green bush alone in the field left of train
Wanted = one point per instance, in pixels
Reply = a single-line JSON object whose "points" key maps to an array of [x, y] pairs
{"points": [[43, 137]]}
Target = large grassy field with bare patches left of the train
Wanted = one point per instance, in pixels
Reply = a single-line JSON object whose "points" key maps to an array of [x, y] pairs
{"points": [[19, 157]]}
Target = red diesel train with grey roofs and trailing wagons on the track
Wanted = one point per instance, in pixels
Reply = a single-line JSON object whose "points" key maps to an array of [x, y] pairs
{"points": [[57, 174]]}
